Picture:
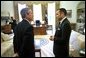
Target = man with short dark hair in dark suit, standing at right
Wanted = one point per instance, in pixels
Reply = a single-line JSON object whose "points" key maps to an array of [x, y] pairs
{"points": [[62, 35]]}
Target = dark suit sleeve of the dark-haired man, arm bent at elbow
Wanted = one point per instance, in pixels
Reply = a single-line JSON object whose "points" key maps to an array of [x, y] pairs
{"points": [[65, 34]]}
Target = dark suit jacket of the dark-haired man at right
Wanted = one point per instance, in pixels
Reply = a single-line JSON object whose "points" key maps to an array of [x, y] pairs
{"points": [[61, 39]]}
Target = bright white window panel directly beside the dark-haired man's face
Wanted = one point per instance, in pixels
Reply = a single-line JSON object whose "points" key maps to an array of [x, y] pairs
{"points": [[51, 16]]}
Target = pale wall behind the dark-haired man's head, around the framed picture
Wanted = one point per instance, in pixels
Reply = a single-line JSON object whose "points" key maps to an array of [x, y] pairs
{"points": [[70, 5]]}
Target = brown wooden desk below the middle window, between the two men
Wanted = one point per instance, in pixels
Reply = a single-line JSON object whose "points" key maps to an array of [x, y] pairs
{"points": [[41, 30]]}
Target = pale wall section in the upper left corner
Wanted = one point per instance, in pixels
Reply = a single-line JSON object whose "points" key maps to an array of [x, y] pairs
{"points": [[7, 8]]}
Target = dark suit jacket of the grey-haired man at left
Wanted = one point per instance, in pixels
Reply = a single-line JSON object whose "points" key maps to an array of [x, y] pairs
{"points": [[24, 39]]}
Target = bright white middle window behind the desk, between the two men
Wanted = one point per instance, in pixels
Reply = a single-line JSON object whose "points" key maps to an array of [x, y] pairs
{"points": [[37, 12]]}
